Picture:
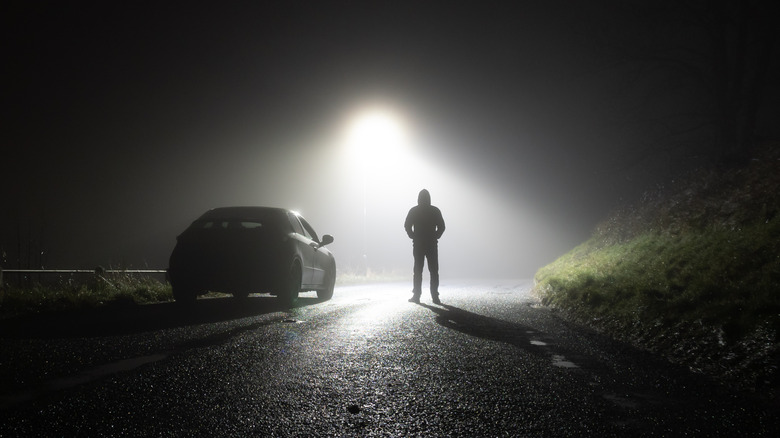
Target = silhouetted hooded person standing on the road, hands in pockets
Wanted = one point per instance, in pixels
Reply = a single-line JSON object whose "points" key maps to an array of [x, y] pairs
{"points": [[425, 225]]}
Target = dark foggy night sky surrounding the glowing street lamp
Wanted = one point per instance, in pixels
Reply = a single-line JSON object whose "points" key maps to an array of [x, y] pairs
{"points": [[124, 121]]}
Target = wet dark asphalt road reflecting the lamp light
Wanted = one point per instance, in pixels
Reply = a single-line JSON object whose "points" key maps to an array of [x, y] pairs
{"points": [[489, 361]]}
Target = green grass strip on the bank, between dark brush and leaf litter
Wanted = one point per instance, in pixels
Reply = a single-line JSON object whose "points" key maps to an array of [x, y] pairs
{"points": [[718, 277]]}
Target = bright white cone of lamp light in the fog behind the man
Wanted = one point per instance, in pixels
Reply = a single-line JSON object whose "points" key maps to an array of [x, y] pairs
{"points": [[380, 157]]}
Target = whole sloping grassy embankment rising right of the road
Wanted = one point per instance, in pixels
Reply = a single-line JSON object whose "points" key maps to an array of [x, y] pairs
{"points": [[691, 272]]}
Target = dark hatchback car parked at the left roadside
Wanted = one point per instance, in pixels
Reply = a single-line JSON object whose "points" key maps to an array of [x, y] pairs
{"points": [[243, 250]]}
